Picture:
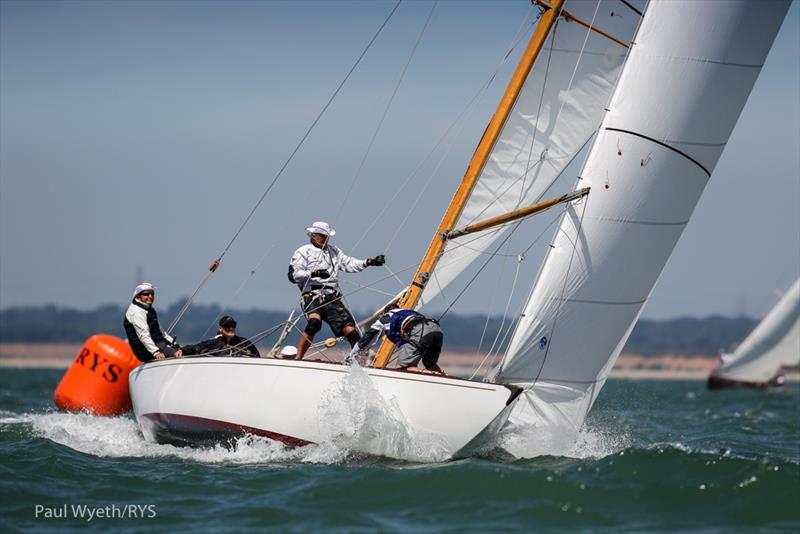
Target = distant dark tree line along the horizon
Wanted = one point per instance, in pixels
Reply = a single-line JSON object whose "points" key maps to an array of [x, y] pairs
{"points": [[52, 324]]}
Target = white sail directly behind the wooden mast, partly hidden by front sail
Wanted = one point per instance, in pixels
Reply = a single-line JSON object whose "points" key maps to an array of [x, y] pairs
{"points": [[561, 104]]}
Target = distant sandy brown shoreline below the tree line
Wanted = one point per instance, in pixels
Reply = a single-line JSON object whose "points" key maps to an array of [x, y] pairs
{"points": [[628, 366]]}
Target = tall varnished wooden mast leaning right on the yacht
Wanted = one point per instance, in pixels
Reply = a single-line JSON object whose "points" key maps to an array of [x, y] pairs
{"points": [[475, 168]]}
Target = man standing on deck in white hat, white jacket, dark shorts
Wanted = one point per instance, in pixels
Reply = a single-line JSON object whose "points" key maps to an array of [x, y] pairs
{"points": [[315, 269]]}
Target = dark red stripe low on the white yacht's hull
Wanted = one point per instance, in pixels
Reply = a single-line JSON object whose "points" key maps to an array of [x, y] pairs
{"points": [[188, 429]]}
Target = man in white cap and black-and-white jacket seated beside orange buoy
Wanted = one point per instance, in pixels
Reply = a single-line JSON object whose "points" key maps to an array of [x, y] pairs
{"points": [[148, 341]]}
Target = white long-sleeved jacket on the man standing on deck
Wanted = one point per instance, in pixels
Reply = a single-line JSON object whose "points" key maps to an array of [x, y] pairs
{"points": [[309, 258]]}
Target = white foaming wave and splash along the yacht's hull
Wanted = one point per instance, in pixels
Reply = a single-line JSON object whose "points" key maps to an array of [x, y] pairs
{"points": [[359, 424]]}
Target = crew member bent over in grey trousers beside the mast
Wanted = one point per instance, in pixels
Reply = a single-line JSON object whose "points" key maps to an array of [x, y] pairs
{"points": [[417, 338]]}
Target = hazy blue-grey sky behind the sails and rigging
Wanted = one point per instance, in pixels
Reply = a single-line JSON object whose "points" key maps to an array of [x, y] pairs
{"points": [[135, 137]]}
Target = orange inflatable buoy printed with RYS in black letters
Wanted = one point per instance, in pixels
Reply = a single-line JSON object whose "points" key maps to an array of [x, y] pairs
{"points": [[97, 381]]}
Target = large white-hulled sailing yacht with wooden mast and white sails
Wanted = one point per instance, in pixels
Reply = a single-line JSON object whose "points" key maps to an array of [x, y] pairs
{"points": [[658, 92]]}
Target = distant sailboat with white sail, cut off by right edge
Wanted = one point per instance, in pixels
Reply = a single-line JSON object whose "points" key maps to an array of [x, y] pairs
{"points": [[775, 342]]}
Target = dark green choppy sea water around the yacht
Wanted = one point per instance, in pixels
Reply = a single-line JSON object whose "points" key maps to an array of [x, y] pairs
{"points": [[654, 455]]}
